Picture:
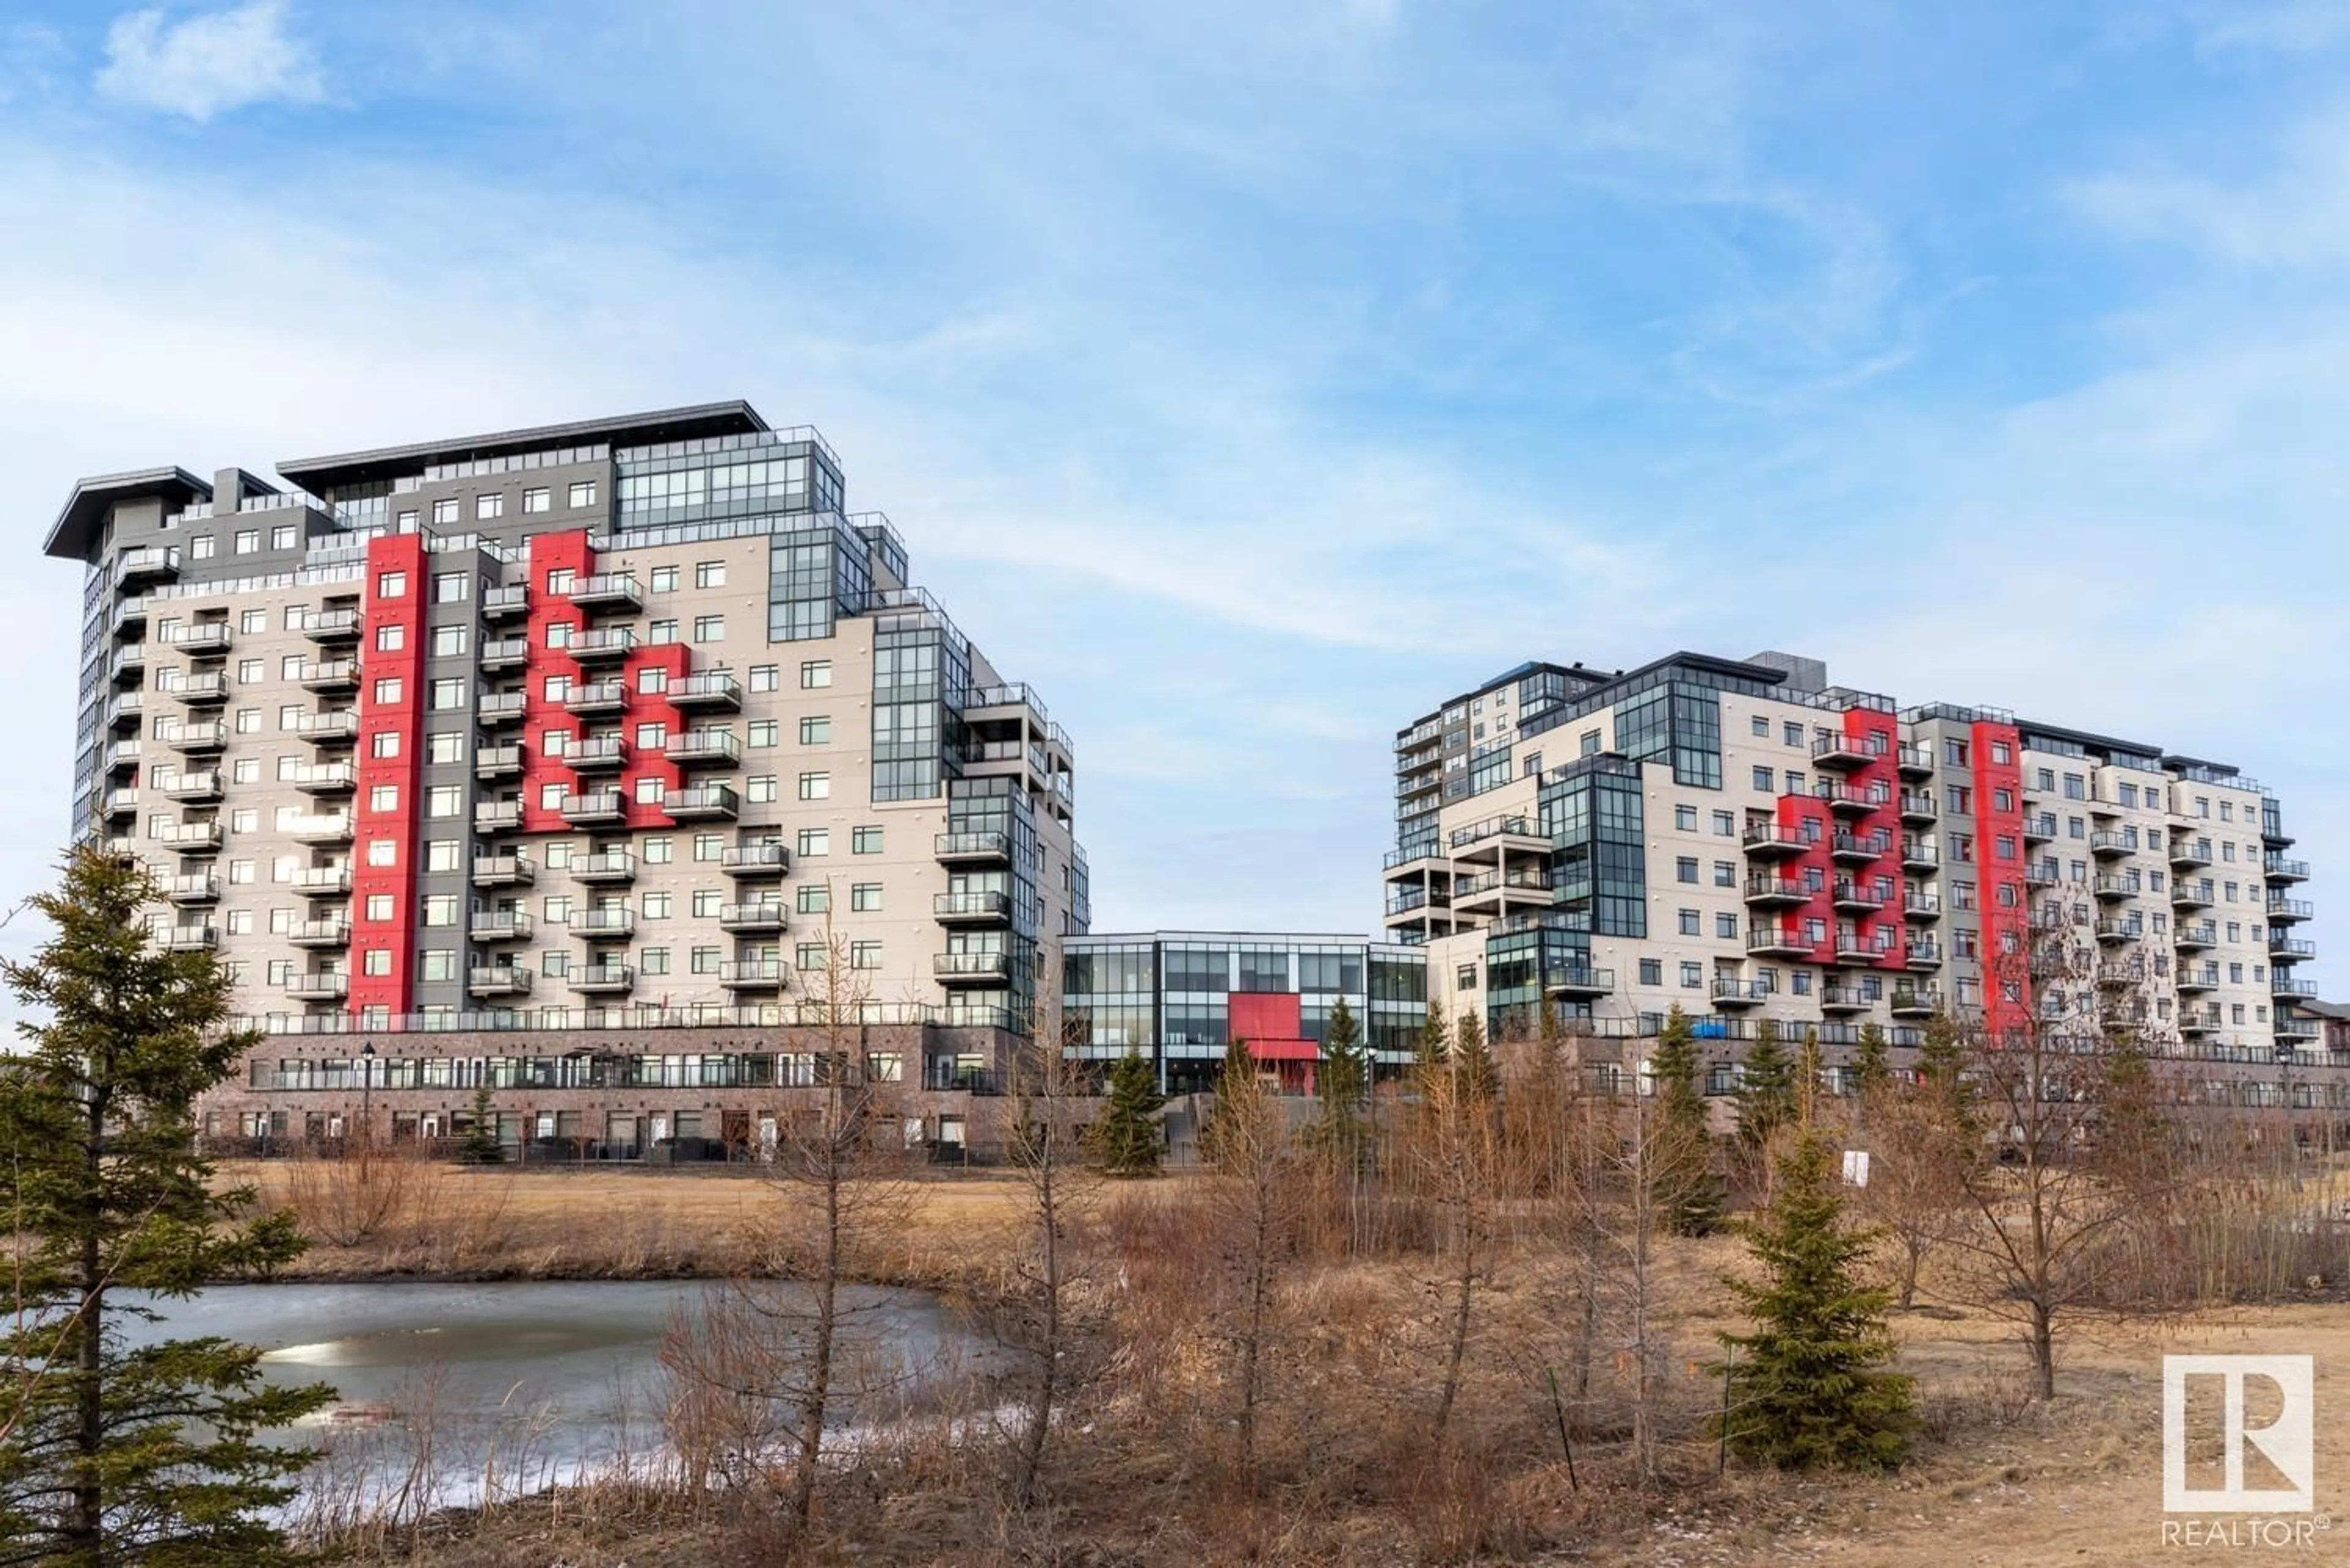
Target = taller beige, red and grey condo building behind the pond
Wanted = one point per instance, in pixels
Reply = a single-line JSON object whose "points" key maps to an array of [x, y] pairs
{"points": [[558, 760]]}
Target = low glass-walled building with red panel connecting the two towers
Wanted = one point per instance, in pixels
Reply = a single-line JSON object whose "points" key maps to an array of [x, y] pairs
{"points": [[1183, 998]]}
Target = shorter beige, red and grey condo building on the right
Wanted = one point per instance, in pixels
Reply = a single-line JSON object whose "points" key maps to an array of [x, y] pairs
{"points": [[1745, 840]]}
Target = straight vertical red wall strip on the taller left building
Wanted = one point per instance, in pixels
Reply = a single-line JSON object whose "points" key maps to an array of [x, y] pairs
{"points": [[403, 554]]}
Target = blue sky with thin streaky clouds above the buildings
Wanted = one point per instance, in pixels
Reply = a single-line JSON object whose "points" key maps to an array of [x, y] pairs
{"points": [[1254, 377]]}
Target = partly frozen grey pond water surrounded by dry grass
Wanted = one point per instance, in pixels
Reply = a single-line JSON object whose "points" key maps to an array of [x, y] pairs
{"points": [[506, 1386]]}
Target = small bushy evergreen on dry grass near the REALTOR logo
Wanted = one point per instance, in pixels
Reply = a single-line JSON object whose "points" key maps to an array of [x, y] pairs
{"points": [[1808, 1388]]}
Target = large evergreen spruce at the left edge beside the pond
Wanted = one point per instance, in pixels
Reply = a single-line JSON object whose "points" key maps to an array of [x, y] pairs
{"points": [[116, 1454]]}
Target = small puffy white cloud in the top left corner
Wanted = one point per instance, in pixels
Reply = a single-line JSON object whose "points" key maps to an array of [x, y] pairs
{"points": [[208, 65]]}
